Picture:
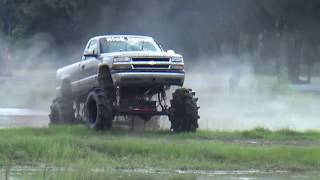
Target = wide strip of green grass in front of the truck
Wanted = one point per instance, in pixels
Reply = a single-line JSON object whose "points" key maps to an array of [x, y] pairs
{"points": [[78, 147]]}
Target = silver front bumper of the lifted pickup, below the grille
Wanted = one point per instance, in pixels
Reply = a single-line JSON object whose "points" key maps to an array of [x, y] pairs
{"points": [[121, 77]]}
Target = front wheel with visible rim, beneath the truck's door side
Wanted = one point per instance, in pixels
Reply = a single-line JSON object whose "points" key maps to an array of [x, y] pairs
{"points": [[99, 111]]}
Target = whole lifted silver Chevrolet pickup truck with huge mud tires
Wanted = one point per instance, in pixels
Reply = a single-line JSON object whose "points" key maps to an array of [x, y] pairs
{"points": [[122, 75]]}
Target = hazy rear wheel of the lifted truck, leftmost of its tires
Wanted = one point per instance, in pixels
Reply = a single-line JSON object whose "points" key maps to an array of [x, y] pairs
{"points": [[62, 112]]}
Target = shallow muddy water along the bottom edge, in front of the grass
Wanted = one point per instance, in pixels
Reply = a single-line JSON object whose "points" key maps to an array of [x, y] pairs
{"points": [[34, 173]]}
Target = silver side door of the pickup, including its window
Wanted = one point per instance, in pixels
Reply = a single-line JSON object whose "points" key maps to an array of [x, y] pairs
{"points": [[88, 72]]}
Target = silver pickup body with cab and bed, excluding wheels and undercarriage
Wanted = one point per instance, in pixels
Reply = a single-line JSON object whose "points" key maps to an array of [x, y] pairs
{"points": [[131, 60]]}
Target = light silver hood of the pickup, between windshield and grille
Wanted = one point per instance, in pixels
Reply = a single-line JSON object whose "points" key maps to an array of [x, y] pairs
{"points": [[141, 54]]}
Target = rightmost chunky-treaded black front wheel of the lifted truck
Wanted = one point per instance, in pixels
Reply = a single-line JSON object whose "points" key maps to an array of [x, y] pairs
{"points": [[184, 111]]}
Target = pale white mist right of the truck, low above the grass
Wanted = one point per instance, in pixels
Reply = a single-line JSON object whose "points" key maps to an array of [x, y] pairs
{"points": [[255, 101]]}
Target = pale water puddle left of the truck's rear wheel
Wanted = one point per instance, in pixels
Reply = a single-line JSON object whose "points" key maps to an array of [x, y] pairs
{"points": [[15, 117]]}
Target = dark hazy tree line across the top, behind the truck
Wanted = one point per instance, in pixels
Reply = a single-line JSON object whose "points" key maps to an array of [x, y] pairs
{"points": [[283, 31]]}
